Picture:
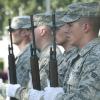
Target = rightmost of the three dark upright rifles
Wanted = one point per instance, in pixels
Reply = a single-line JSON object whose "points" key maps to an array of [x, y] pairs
{"points": [[53, 73]]}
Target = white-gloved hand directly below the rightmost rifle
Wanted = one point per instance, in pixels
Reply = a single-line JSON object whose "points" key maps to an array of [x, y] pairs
{"points": [[52, 92]]}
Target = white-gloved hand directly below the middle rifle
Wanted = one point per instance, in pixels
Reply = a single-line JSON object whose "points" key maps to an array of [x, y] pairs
{"points": [[35, 94]]}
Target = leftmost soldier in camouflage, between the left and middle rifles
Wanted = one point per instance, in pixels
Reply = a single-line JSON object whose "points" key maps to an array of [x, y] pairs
{"points": [[21, 34]]}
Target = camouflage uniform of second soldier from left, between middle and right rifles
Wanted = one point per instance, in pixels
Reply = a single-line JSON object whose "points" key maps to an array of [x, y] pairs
{"points": [[44, 71]]}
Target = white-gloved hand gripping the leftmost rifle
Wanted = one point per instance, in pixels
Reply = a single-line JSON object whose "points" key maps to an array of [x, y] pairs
{"points": [[11, 89]]}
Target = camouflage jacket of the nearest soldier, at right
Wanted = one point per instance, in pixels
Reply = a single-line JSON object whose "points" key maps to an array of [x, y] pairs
{"points": [[82, 81]]}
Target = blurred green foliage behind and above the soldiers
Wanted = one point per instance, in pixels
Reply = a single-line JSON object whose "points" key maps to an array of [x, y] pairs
{"points": [[10, 8]]}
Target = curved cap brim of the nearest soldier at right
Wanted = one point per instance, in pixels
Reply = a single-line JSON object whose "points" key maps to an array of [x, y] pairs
{"points": [[70, 18]]}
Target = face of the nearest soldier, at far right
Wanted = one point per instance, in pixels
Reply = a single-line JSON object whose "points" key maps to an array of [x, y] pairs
{"points": [[76, 34]]}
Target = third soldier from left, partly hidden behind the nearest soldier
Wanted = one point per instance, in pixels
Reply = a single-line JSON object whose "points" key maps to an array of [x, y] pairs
{"points": [[69, 50]]}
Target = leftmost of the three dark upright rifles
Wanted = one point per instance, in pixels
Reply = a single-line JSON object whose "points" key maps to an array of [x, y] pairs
{"points": [[11, 61]]}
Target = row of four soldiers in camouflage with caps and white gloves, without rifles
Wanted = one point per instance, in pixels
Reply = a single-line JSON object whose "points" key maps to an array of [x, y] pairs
{"points": [[78, 67]]}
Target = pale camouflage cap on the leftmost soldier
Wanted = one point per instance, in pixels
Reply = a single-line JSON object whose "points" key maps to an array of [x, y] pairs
{"points": [[21, 22]]}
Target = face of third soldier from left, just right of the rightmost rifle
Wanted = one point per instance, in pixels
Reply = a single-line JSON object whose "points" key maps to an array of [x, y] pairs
{"points": [[62, 34]]}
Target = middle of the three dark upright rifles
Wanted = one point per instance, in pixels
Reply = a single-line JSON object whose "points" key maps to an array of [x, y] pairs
{"points": [[34, 61]]}
